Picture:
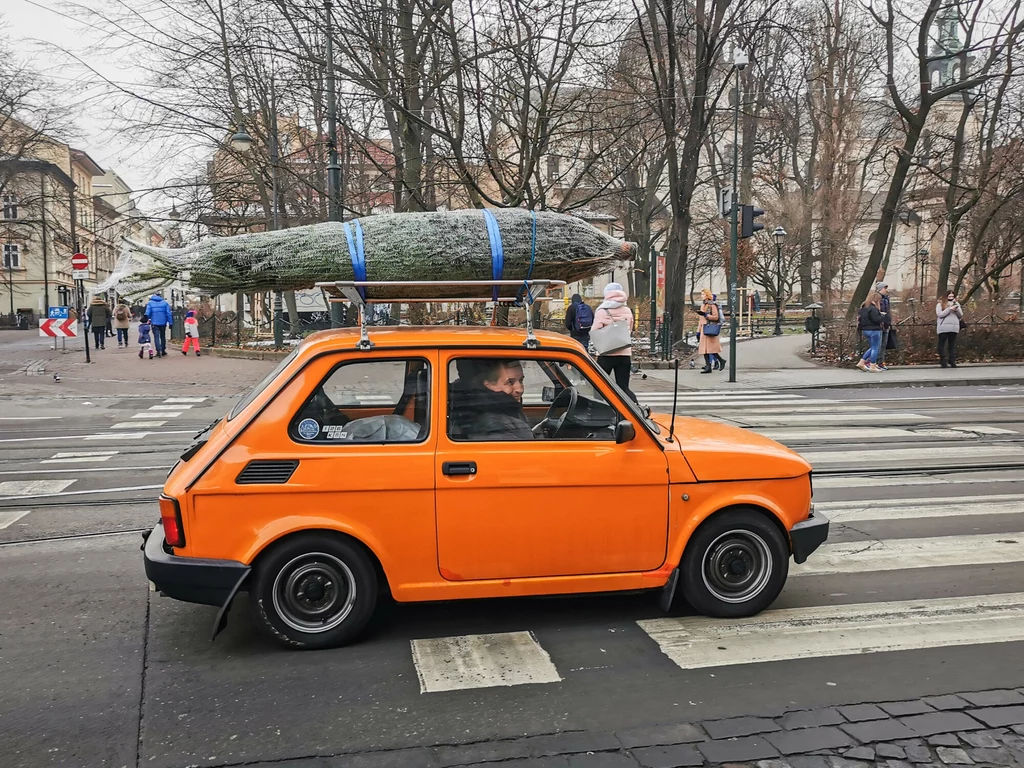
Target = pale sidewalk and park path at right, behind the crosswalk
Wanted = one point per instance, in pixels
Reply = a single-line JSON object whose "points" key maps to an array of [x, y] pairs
{"points": [[776, 363]]}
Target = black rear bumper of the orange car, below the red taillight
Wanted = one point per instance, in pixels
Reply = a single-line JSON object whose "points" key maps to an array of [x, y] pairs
{"points": [[193, 580]]}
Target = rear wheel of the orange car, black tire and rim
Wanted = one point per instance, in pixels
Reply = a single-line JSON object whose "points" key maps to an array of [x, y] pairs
{"points": [[314, 591]]}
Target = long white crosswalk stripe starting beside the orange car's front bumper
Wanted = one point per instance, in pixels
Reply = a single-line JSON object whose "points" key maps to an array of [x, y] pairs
{"points": [[898, 554]]}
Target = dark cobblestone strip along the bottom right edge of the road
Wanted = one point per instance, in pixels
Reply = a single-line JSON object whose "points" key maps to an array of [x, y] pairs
{"points": [[983, 729]]}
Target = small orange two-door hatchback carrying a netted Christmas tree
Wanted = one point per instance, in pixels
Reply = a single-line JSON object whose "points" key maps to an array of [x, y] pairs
{"points": [[444, 463]]}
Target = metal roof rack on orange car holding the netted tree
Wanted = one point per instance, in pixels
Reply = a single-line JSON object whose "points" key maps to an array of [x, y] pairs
{"points": [[353, 291]]}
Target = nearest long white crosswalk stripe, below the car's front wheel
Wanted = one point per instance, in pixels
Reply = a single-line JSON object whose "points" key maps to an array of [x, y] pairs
{"points": [[839, 630]]}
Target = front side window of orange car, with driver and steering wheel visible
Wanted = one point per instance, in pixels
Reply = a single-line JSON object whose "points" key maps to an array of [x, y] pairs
{"points": [[493, 399]]}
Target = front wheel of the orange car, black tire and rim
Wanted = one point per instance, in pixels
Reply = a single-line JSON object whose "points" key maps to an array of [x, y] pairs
{"points": [[736, 566]]}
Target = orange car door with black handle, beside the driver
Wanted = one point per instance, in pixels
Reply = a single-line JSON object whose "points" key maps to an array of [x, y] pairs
{"points": [[518, 507]]}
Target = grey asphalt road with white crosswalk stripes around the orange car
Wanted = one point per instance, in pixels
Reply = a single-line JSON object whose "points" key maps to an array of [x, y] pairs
{"points": [[922, 575]]}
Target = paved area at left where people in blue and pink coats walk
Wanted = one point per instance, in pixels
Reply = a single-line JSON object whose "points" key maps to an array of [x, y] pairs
{"points": [[29, 363]]}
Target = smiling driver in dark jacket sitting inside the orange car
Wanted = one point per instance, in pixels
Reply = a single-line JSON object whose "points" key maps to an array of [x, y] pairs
{"points": [[492, 410]]}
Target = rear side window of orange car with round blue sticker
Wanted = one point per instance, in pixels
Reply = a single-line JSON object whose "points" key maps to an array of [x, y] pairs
{"points": [[368, 402]]}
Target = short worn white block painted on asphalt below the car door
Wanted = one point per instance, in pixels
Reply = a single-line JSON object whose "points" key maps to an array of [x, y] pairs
{"points": [[482, 662]]}
